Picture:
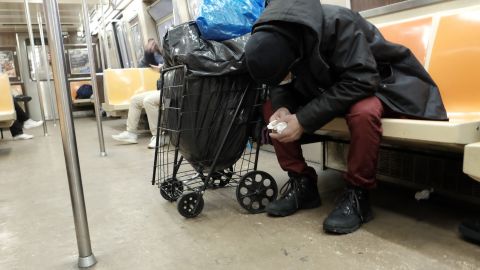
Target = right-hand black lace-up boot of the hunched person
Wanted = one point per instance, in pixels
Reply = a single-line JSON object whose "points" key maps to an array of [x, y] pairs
{"points": [[350, 213]]}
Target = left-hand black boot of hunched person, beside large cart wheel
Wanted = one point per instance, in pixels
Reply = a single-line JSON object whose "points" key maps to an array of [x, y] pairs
{"points": [[297, 193]]}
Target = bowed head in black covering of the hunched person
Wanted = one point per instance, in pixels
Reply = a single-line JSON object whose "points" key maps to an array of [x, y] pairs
{"points": [[271, 51]]}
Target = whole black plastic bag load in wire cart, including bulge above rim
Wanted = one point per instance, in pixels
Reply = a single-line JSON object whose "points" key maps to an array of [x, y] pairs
{"points": [[199, 114]]}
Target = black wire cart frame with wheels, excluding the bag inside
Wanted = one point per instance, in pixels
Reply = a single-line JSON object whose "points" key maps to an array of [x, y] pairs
{"points": [[180, 181]]}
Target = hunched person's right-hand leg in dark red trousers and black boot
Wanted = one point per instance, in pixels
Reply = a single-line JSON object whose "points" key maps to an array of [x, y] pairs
{"points": [[364, 123]]}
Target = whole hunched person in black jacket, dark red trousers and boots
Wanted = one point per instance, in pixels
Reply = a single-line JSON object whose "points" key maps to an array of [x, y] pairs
{"points": [[340, 65]]}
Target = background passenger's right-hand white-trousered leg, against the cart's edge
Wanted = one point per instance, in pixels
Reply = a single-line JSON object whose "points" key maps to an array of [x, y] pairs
{"points": [[152, 107]]}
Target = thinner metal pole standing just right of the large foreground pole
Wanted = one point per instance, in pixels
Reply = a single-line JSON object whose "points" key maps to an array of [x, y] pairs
{"points": [[98, 114]]}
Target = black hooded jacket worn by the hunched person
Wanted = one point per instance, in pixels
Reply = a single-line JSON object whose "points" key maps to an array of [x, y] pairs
{"points": [[344, 59]]}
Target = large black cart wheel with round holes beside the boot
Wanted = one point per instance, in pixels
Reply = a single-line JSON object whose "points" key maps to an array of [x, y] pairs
{"points": [[256, 190]]}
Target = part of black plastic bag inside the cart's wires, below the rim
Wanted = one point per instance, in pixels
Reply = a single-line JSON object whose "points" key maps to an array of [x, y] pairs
{"points": [[200, 116]]}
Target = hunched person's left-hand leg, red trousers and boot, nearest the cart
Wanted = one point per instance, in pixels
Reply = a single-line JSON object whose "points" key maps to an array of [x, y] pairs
{"points": [[301, 189]]}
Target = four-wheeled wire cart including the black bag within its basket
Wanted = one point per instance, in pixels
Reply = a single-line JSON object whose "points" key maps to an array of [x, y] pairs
{"points": [[213, 125]]}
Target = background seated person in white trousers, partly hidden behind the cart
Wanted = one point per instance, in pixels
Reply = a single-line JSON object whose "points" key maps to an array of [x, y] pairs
{"points": [[149, 100]]}
